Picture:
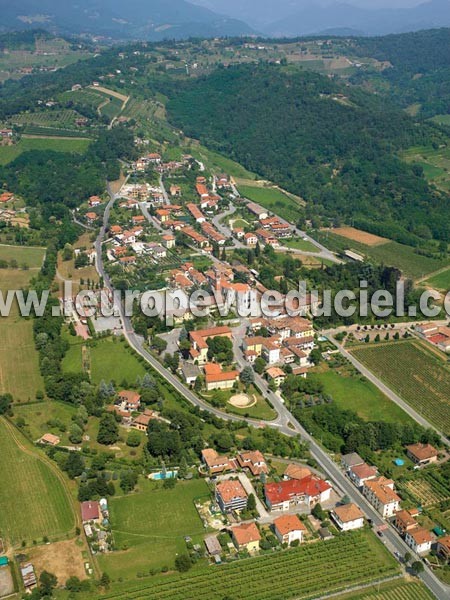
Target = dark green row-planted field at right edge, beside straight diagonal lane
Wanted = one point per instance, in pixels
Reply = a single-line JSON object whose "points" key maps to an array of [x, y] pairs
{"points": [[416, 375]]}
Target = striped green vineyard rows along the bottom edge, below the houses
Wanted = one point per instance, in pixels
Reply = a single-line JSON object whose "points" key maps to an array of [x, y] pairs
{"points": [[305, 572]]}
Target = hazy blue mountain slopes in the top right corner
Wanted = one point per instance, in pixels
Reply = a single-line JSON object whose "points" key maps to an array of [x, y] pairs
{"points": [[290, 18]]}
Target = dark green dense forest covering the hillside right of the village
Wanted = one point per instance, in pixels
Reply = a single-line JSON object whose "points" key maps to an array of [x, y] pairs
{"points": [[333, 145]]}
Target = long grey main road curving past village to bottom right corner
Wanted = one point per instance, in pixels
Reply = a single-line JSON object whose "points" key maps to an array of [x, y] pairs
{"points": [[285, 422]]}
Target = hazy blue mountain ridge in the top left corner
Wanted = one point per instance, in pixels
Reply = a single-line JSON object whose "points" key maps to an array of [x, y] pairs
{"points": [[132, 19]]}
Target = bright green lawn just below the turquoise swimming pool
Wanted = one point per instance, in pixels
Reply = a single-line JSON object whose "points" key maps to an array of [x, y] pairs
{"points": [[149, 527]]}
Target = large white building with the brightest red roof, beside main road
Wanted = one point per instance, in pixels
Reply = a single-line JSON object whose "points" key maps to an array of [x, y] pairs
{"points": [[284, 494]]}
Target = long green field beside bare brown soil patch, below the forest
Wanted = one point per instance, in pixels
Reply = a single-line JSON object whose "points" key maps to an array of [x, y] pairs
{"points": [[392, 254]]}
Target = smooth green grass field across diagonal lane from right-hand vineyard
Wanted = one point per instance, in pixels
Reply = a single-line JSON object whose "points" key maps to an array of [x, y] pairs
{"points": [[361, 396]]}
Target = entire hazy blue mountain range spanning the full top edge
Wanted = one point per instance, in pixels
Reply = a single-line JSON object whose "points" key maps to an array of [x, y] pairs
{"points": [[178, 19]]}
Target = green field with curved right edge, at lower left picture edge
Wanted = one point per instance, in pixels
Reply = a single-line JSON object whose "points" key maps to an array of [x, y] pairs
{"points": [[44, 508]]}
